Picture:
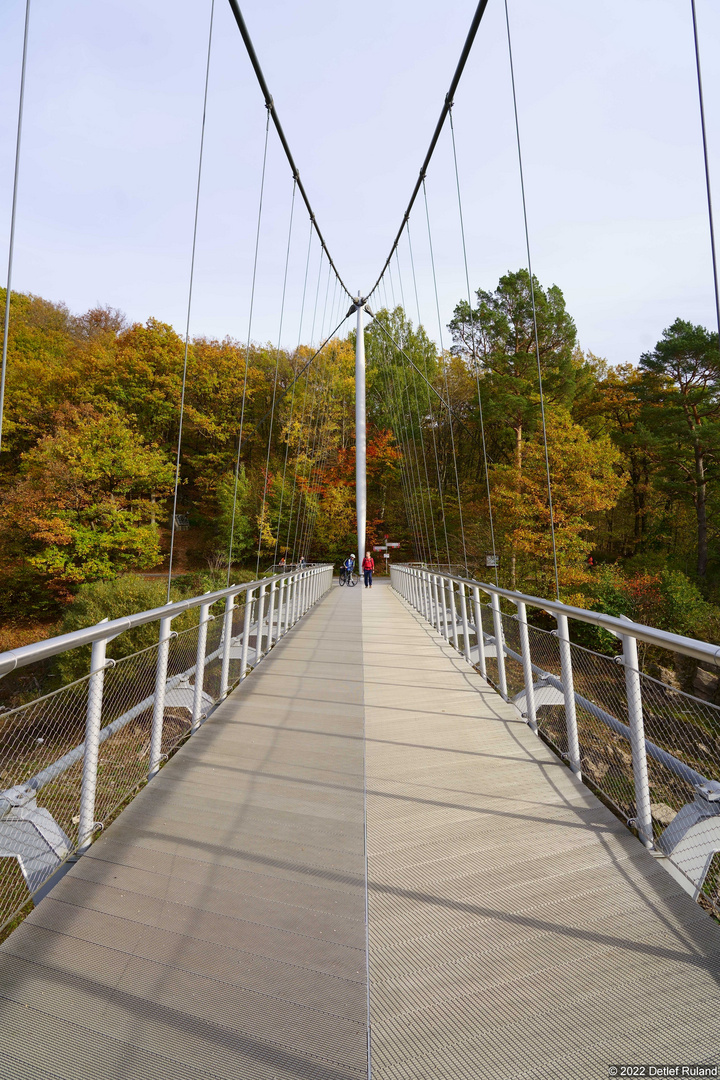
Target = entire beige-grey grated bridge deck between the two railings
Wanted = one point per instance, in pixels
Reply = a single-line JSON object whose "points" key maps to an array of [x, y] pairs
{"points": [[219, 929]]}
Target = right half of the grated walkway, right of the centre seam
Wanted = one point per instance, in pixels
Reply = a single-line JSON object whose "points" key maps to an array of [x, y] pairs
{"points": [[518, 929]]}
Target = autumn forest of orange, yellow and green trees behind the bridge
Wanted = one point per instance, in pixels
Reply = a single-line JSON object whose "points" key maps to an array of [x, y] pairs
{"points": [[457, 464]]}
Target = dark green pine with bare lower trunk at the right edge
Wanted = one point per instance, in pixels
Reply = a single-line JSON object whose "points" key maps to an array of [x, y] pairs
{"points": [[683, 414]]}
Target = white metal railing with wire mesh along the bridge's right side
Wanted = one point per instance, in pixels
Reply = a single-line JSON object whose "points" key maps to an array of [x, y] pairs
{"points": [[651, 750]]}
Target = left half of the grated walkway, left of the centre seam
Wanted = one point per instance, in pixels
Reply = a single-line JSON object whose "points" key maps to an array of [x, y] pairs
{"points": [[219, 929]]}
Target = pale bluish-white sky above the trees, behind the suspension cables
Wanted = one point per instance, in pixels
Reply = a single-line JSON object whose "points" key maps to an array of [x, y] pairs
{"points": [[610, 134]]}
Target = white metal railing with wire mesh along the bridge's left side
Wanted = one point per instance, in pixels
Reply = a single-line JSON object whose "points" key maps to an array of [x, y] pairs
{"points": [[90, 745]]}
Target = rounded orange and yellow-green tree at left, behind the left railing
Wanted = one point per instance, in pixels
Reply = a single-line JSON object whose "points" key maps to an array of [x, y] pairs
{"points": [[79, 510]]}
